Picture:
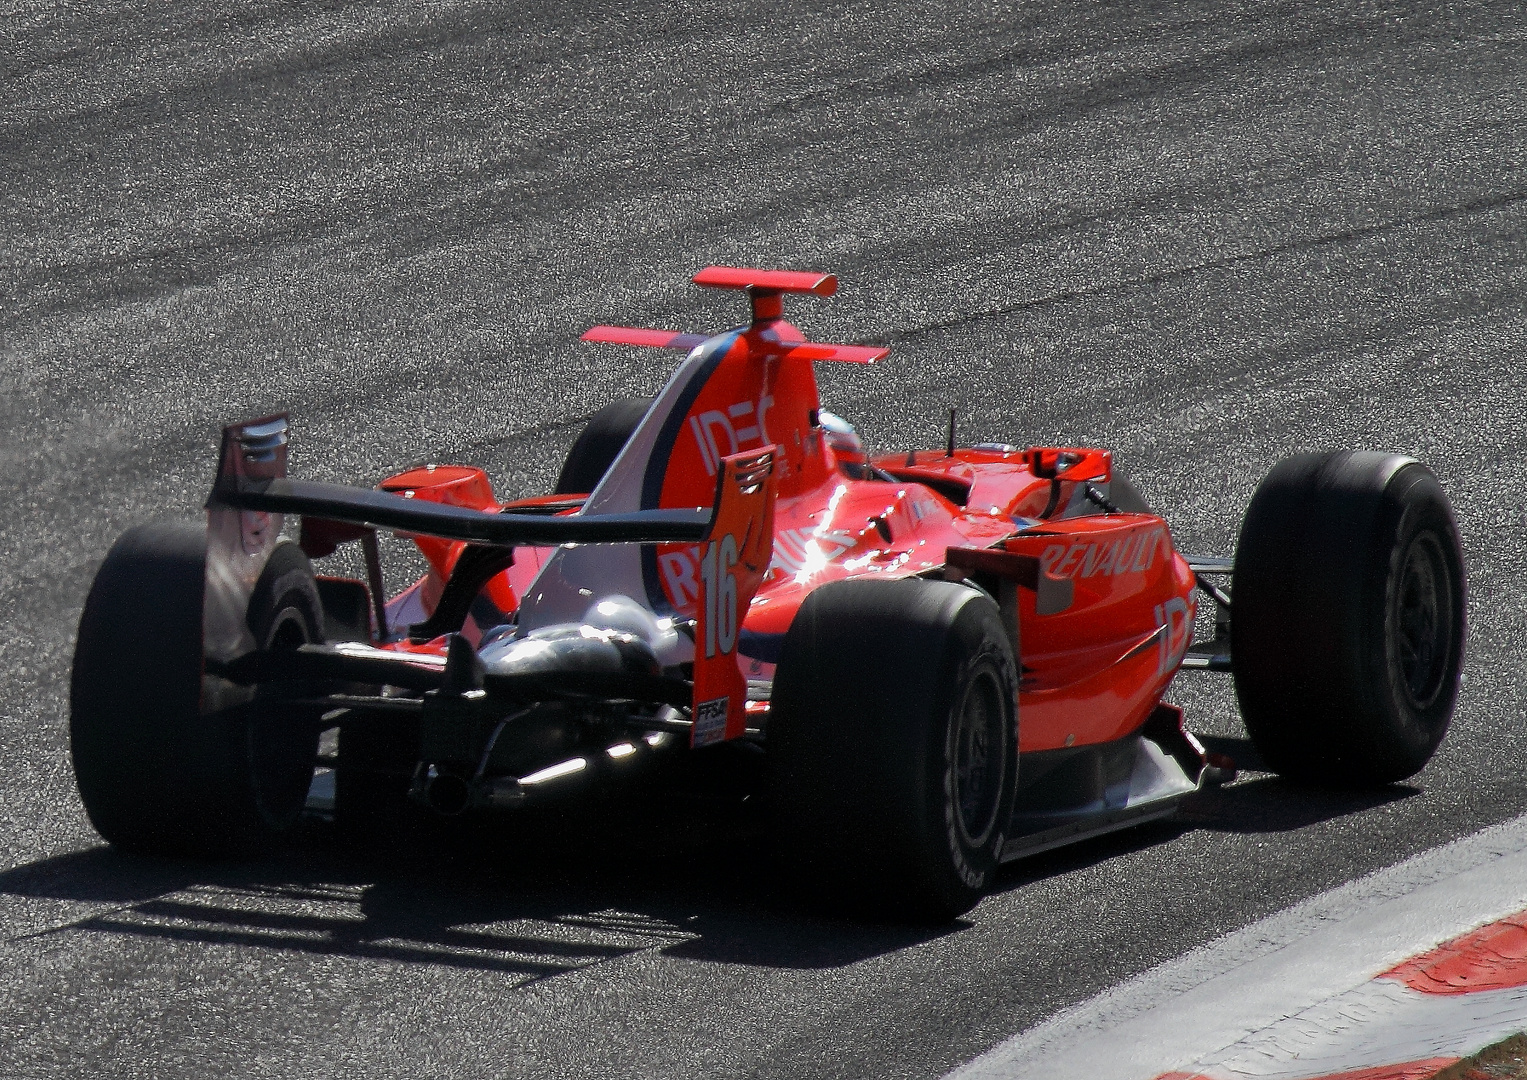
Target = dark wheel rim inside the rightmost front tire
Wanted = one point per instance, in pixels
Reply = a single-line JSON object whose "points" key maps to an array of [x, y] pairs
{"points": [[1422, 622]]}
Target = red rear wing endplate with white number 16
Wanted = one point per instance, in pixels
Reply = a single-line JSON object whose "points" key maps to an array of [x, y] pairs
{"points": [[732, 564]]}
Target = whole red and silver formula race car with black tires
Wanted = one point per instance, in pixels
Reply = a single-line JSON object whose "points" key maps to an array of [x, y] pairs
{"points": [[948, 659]]}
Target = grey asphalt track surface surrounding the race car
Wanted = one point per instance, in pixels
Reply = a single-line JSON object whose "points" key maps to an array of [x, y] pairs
{"points": [[1204, 234]]}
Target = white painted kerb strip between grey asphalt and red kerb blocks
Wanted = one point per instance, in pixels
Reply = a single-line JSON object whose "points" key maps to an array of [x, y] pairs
{"points": [[1219, 995]]}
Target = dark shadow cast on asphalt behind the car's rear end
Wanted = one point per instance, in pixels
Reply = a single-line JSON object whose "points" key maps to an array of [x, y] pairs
{"points": [[526, 904]]}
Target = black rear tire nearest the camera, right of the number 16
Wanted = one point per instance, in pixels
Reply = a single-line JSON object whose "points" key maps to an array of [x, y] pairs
{"points": [[893, 748]]}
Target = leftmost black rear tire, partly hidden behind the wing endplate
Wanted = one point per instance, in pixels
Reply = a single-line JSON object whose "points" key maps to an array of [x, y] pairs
{"points": [[155, 774]]}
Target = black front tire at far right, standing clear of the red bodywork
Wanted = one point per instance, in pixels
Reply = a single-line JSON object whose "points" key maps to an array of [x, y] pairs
{"points": [[1349, 618]]}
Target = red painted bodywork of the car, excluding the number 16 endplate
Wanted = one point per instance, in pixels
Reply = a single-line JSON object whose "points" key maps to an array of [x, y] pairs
{"points": [[1091, 674]]}
